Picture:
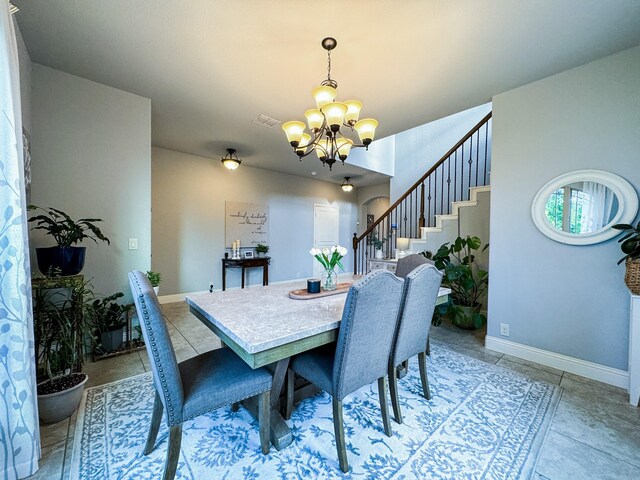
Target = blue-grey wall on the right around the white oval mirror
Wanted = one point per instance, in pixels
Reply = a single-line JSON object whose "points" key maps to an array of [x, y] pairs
{"points": [[565, 299]]}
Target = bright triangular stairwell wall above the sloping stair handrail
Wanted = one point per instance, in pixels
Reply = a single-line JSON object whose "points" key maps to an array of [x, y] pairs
{"points": [[418, 149]]}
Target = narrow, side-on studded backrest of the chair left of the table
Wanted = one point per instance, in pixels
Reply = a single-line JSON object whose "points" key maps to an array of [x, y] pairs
{"points": [[164, 365]]}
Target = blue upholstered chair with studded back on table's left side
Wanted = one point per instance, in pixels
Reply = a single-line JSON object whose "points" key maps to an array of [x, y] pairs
{"points": [[201, 384]]}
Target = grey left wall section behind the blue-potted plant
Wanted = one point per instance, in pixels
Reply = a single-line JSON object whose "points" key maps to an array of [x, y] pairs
{"points": [[91, 157]]}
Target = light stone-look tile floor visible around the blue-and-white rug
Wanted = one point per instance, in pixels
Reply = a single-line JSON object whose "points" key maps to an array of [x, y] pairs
{"points": [[595, 433]]}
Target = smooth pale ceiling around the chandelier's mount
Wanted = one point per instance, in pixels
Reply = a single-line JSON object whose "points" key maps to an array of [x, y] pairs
{"points": [[210, 66]]}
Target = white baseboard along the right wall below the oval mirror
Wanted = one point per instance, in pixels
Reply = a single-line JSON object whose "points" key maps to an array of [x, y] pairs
{"points": [[611, 376]]}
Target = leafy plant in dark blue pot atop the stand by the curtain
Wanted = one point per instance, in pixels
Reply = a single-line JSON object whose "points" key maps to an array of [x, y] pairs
{"points": [[67, 233]]}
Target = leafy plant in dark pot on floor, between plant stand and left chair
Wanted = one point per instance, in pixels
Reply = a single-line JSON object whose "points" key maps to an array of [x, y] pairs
{"points": [[106, 316]]}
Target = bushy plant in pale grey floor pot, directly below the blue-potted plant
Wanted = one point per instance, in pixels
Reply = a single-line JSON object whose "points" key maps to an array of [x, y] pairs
{"points": [[59, 328]]}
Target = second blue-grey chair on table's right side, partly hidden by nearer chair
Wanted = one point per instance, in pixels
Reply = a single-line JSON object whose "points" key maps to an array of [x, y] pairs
{"points": [[419, 295]]}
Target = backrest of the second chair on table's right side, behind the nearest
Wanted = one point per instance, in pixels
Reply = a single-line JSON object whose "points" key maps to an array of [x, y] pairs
{"points": [[419, 295]]}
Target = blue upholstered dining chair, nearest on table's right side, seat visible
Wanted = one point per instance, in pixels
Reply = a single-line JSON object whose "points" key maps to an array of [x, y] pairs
{"points": [[361, 353]]}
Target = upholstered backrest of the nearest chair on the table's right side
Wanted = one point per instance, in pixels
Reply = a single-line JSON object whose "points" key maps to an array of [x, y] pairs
{"points": [[366, 332]]}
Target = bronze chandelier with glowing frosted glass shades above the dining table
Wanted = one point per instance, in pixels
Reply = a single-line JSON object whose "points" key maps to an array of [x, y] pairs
{"points": [[325, 122]]}
